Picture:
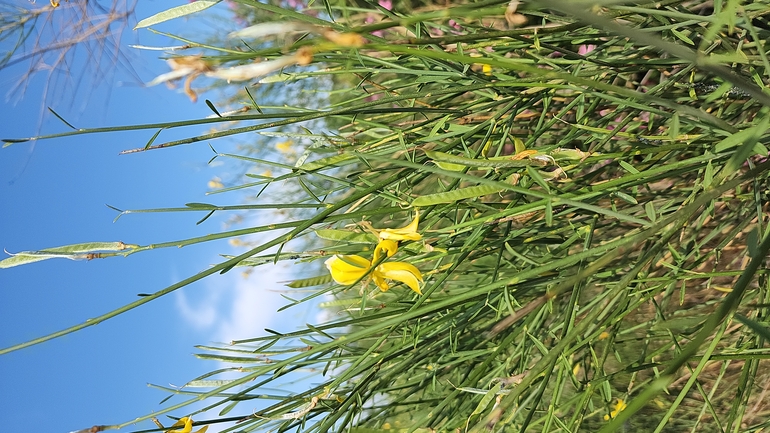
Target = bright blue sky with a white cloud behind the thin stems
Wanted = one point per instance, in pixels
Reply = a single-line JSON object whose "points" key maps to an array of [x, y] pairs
{"points": [[53, 193]]}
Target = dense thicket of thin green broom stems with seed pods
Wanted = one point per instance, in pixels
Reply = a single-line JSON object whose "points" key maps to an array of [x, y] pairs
{"points": [[592, 187]]}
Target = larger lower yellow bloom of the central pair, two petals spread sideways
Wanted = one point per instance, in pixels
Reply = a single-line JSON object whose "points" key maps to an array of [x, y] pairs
{"points": [[347, 269]]}
